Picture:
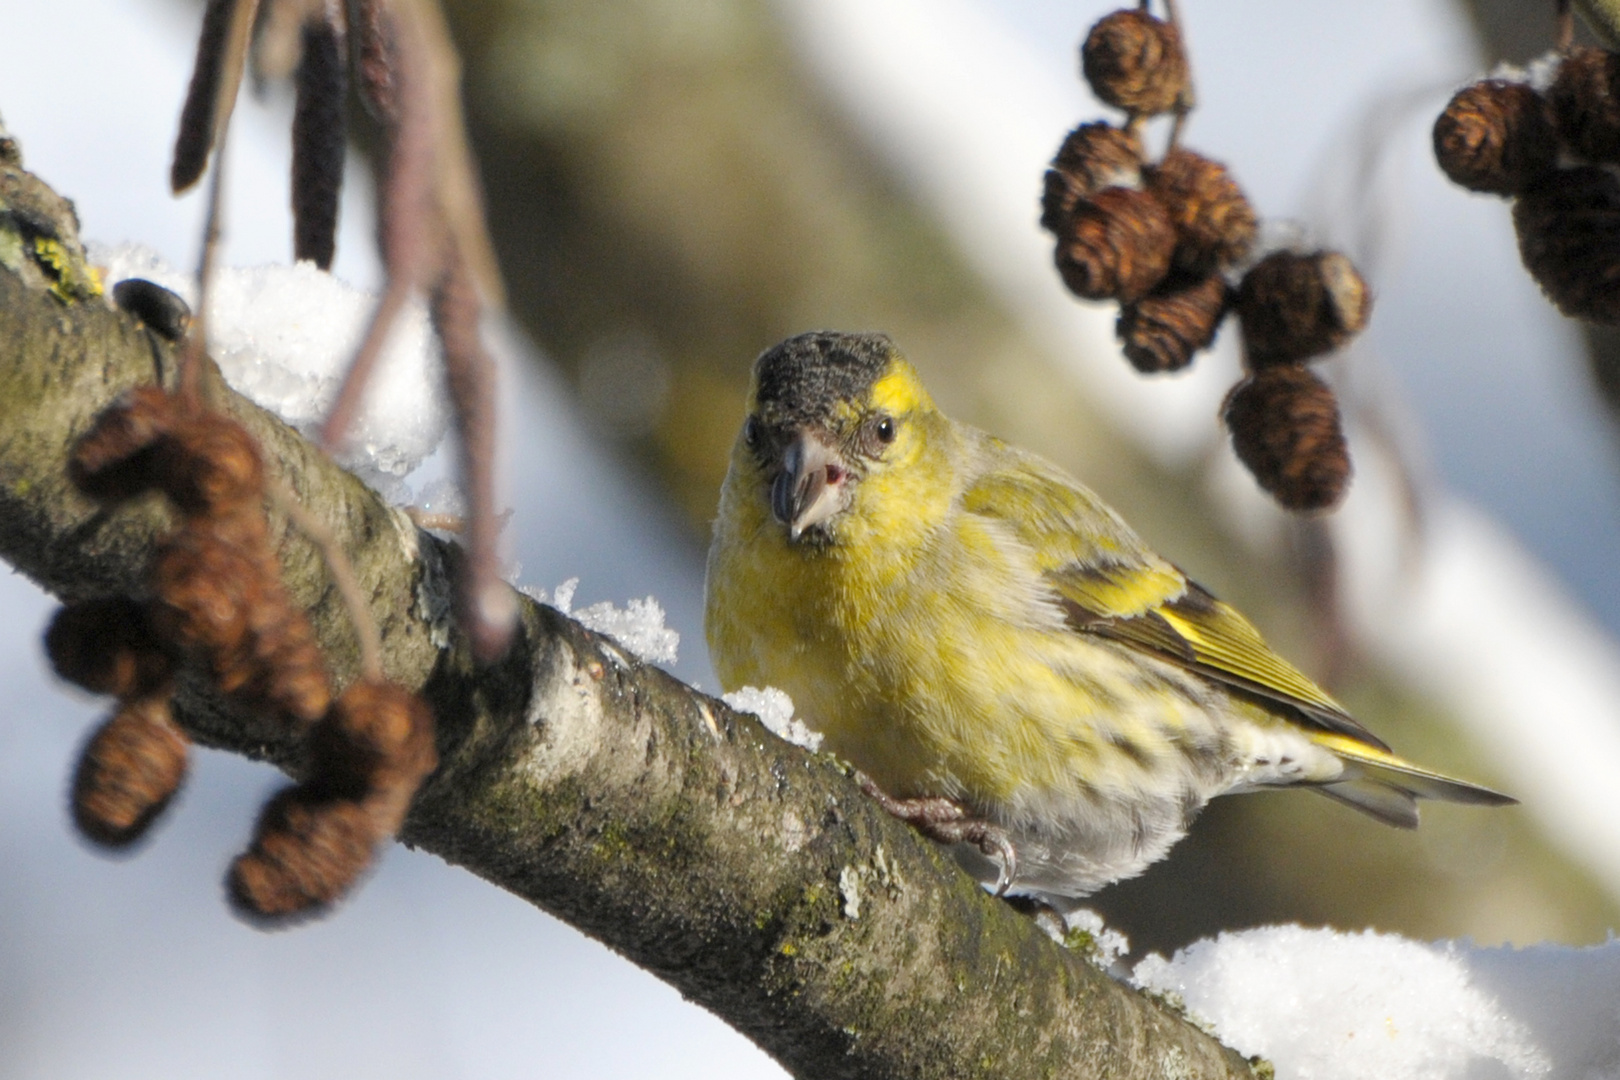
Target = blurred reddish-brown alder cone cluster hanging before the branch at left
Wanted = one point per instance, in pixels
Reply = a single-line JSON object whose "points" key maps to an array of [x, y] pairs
{"points": [[216, 600]]}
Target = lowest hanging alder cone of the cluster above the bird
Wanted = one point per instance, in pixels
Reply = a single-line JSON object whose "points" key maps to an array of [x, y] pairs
{"points": [[1285, 428]]}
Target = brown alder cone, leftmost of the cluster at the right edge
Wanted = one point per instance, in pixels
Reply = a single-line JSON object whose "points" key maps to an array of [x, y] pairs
{"points": [[1496, 137]]}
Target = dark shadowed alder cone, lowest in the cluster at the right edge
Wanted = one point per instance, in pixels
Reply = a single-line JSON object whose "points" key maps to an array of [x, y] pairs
{"points": [[1569, 232]]}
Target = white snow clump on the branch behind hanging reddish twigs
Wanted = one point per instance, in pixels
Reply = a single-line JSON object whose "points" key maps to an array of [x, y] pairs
{"points": [[284, 336]]}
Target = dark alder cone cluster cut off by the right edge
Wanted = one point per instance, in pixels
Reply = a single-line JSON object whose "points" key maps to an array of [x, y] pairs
{"points": [[1556, 153]]}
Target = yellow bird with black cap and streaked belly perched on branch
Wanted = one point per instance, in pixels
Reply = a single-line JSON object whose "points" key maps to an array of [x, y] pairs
{"points": [[1007, 665]]}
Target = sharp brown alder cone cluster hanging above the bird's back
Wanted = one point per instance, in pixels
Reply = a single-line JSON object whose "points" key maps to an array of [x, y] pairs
{"points": [[1174, 244]]}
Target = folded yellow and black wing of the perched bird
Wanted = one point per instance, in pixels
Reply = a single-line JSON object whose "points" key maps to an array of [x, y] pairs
{"points": [[1112, 585]]}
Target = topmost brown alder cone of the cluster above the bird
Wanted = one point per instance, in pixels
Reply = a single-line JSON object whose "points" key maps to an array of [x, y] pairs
{"points": [[1136, 62]]}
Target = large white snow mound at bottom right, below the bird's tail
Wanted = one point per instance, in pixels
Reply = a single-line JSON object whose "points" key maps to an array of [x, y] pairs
{"points": [[1332, 1006]]}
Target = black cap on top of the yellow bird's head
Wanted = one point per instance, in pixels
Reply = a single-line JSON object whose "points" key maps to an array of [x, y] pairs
{"points": [[803, 380]]}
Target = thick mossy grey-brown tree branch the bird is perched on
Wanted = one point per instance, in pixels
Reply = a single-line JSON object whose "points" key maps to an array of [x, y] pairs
{"points": [[748, 874]]}
